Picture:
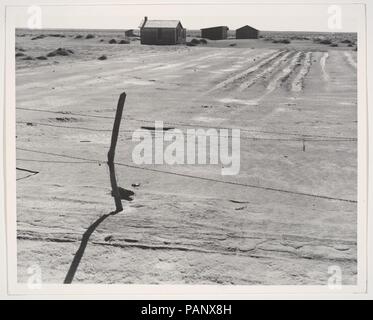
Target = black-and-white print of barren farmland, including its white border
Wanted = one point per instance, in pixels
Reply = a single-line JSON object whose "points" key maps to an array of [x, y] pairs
{"points": [[189, 144]]}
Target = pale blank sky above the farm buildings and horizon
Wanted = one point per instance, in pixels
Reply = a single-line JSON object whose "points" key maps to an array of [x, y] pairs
{"points": [[274, 17]]}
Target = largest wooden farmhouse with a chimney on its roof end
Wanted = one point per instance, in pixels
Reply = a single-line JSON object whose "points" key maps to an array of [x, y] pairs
{"points": [[162, 32]]}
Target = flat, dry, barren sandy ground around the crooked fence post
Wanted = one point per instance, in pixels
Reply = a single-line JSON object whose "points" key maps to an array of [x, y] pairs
{"points": [[289, 215]]}
